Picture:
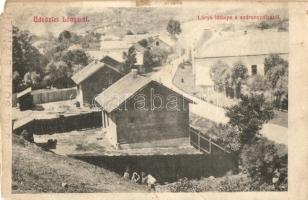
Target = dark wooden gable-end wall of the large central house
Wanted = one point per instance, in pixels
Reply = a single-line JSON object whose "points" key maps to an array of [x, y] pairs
{"points": [[136, 125]]}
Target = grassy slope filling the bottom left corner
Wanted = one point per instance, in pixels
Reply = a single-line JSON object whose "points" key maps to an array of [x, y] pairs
{"points": [[35, 170]]}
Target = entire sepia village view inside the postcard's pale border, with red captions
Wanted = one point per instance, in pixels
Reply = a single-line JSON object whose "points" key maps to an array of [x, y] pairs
{"points": [[150, 99]]}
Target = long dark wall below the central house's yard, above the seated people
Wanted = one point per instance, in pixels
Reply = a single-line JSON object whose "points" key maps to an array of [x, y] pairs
{"points": [[167, 168]]}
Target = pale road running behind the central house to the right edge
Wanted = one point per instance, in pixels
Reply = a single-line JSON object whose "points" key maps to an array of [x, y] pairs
{"points": [[209, 111]]}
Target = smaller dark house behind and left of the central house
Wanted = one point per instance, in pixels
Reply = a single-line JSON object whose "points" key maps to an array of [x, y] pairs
{"points": [[95, 78]]}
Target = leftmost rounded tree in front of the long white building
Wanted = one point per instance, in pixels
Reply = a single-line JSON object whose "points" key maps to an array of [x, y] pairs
{"points": [[219, 74]]}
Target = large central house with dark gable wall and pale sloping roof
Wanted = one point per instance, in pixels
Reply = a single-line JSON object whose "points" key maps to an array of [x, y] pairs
{"points": [[138, 109]]}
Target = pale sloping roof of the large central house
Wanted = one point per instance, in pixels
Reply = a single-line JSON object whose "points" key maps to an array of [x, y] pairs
{"points": [[123, 89]]}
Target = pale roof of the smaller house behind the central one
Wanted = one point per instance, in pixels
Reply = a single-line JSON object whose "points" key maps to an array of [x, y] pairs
{"points": [[90, 69]]}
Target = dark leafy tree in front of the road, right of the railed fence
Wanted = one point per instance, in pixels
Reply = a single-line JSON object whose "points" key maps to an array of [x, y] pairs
{"points": [[249, 116]]}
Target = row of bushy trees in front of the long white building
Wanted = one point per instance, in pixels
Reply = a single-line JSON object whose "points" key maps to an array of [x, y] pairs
{"points": [[234, 80]]}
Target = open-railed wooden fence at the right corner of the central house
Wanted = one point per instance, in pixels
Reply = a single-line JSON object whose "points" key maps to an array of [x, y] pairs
{"points": [[204, 143]]}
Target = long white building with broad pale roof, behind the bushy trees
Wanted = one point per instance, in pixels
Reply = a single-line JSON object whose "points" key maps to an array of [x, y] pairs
{"points": [[247, 47]]}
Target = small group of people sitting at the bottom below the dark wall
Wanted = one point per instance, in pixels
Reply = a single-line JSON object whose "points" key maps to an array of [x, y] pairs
{"points": [[143, 178]]}
